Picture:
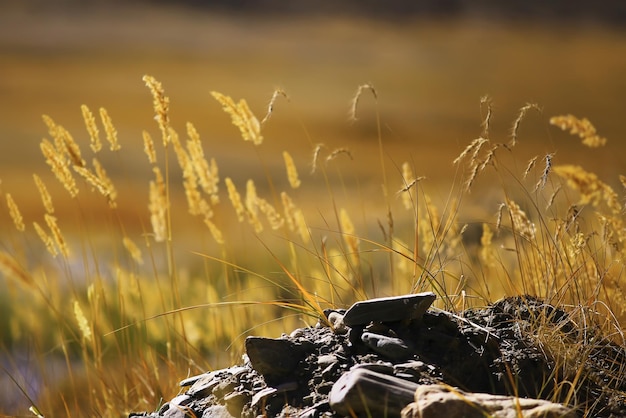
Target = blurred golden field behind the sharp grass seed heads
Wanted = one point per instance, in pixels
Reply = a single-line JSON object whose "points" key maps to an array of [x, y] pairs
{"points": [[429, 75]]}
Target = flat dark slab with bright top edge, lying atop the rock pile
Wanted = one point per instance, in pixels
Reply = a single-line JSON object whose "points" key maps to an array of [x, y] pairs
{"points": [[389, 309]]}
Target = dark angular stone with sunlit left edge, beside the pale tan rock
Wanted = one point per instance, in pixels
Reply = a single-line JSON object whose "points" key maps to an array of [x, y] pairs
{"points": [[364, 392]]}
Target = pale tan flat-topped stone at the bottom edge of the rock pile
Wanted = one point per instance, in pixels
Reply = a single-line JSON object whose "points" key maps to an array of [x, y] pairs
{"points": [[434, 401]]}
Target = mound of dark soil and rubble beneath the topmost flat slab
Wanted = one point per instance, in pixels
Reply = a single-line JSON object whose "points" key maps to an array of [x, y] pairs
{"points": [[517, 346]]}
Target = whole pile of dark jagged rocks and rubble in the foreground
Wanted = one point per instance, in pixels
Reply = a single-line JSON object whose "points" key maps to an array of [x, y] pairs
{"points": [[395, 356]]}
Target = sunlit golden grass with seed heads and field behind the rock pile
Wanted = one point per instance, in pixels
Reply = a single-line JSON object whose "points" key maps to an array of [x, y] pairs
{"points": [[144, 241]]}
